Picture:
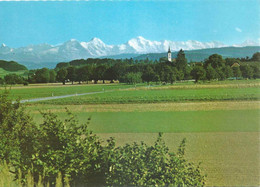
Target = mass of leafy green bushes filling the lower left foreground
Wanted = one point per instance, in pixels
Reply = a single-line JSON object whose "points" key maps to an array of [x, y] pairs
{"points": [[69, 151]]}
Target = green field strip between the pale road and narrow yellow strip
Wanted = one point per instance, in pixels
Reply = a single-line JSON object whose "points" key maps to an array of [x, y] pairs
{"points": [[164, 95]]}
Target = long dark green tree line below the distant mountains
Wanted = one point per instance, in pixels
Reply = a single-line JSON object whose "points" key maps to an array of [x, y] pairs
{"points": [[135, 71]]}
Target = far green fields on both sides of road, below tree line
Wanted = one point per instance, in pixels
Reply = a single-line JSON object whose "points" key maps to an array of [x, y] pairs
{"points": [[240, 89]]}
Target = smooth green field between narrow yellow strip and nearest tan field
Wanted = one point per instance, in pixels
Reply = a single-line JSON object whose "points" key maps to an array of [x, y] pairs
{"points": [[168, 122]]}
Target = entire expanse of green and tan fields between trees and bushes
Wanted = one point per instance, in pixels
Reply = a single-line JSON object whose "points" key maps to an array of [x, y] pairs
{"points": [[219, 119]]}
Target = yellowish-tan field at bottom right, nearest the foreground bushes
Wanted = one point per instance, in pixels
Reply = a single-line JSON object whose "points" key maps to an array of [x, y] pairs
{"points": [[228, 158]]}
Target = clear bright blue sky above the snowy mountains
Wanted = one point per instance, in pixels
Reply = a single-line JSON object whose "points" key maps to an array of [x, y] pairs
{"points": [[115, 22]]}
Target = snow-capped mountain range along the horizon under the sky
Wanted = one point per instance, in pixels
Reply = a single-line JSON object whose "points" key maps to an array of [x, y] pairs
{"points": [[73, 49]]}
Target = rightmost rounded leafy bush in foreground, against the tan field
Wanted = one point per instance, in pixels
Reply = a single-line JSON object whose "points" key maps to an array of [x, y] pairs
{"points": [[142, 165]]}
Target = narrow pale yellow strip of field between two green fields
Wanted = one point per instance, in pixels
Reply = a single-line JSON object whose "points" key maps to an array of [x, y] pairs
{"points": [[188, 106]]}
